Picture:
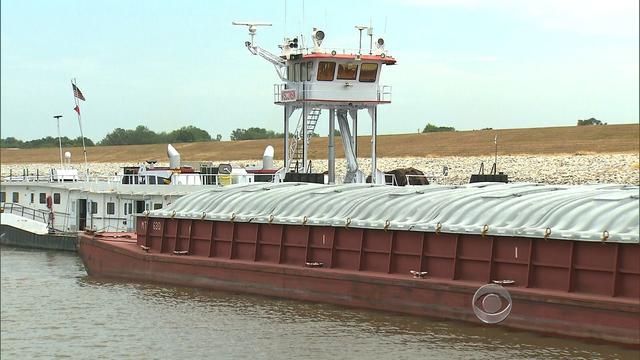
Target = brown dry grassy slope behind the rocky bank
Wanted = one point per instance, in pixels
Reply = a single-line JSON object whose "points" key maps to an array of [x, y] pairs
{"points": [[553, 140]]}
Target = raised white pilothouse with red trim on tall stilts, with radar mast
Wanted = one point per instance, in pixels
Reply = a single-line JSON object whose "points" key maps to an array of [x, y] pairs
{"points": [[339, 81]]}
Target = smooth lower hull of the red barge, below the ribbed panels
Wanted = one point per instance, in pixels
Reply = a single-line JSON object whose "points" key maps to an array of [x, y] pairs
{"points": [[576, 315]]}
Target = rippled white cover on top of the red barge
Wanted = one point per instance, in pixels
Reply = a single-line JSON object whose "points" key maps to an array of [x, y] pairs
{"points": [[584, 212]]}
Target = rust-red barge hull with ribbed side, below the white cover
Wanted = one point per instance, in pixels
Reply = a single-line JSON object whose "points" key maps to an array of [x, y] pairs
{"points": [[562, 287]]}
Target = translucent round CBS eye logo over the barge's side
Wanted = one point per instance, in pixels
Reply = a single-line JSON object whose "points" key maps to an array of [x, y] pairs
{"points": [[491, 303]]}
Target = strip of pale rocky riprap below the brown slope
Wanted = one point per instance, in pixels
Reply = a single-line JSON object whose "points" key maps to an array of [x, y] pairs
{"points": [[550, 169]]}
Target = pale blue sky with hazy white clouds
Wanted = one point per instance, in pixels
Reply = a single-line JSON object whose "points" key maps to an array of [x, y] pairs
{"points": [[470, 64]]}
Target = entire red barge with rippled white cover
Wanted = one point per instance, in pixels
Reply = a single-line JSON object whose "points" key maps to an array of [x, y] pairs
{"points": [[567, 255]]}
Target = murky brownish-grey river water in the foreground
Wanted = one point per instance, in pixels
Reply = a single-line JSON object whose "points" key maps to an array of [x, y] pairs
{"points": [[51, 309]]}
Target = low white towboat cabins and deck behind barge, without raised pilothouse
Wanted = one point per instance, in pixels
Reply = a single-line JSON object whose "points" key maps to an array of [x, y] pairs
{"points": [[64, 201]]}
